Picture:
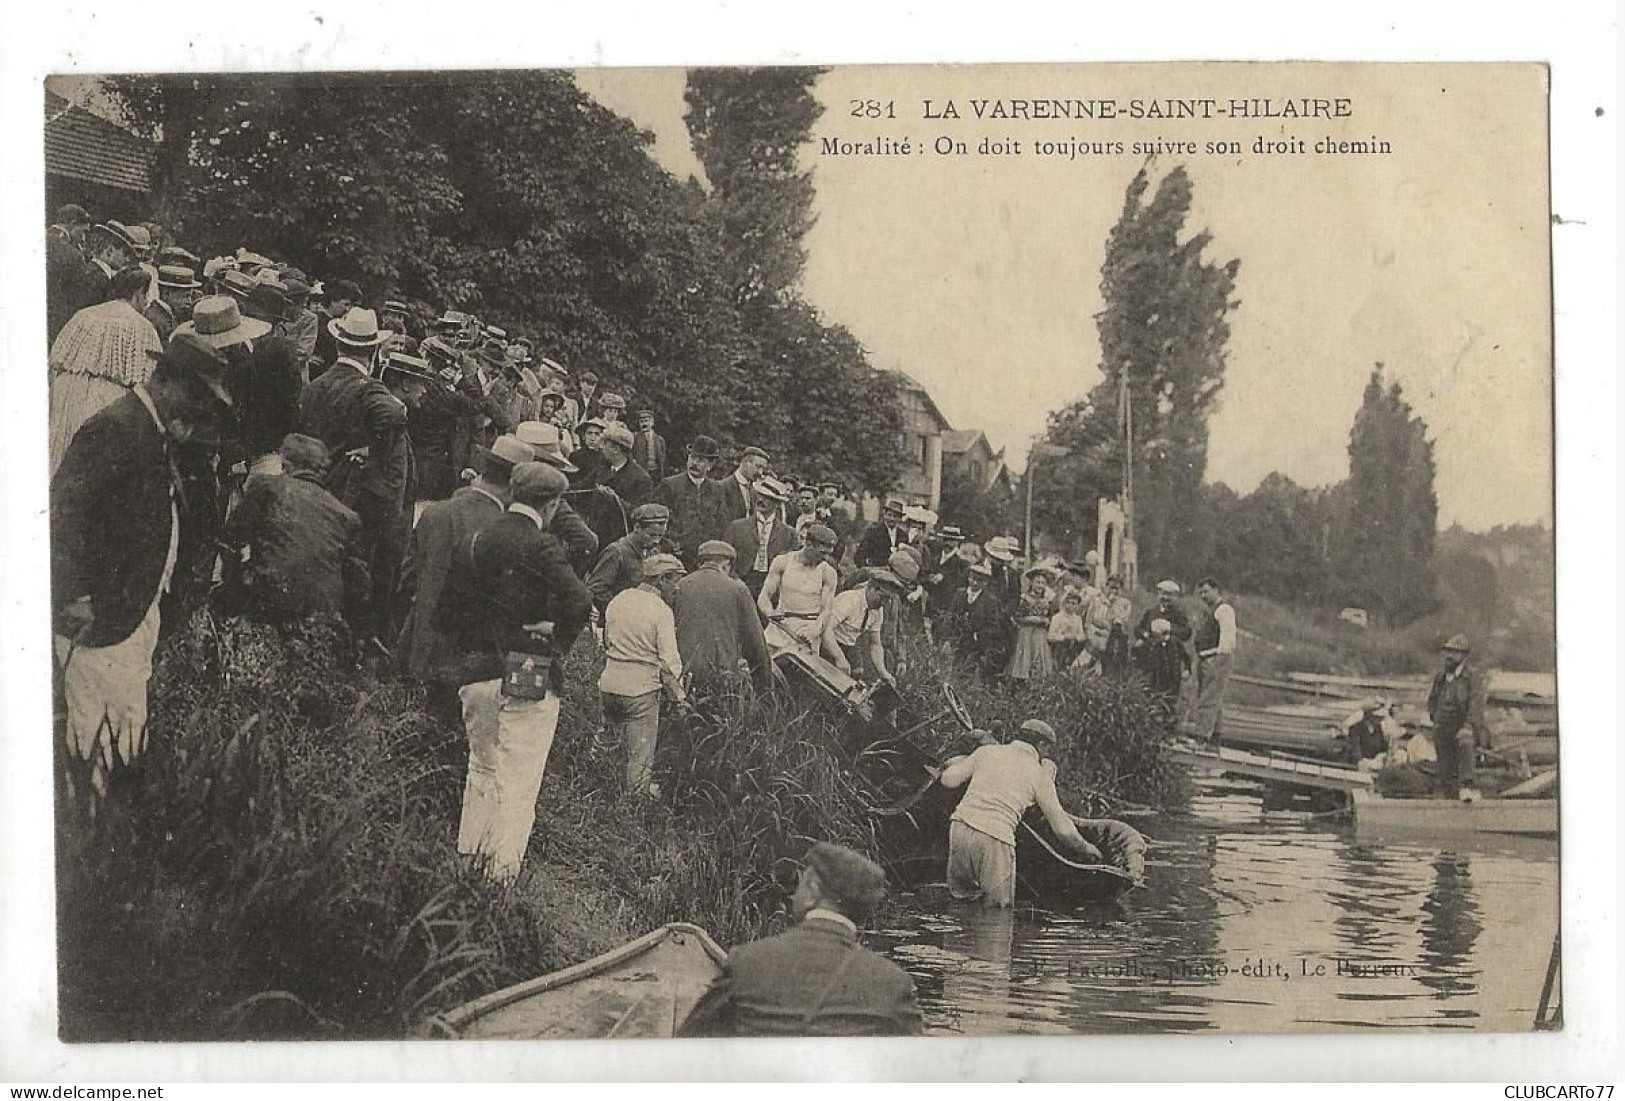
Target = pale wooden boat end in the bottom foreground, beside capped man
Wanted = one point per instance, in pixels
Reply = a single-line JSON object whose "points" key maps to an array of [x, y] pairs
{"points": [[643, 990]]}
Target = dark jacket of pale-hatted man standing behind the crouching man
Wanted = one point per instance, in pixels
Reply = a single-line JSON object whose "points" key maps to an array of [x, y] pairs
{"points": [[349, 410]]}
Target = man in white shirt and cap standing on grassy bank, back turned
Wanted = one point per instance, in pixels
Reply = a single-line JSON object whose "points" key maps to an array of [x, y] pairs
{"points": [[641, 665]]}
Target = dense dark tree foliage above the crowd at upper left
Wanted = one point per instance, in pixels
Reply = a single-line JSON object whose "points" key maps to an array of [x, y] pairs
{"points": [[518, 197]]}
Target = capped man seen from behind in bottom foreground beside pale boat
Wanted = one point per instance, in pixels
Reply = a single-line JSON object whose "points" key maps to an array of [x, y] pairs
{"points": [[815, 980]]}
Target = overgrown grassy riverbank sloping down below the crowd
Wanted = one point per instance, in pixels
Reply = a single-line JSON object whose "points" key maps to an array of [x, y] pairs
{"points": [[282, 863]]}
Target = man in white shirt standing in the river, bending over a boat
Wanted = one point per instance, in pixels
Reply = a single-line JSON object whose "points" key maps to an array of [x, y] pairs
{"points": [[1005, 780]]}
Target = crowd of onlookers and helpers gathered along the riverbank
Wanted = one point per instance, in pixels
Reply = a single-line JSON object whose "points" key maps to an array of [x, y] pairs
{"points": [[232, 433]]}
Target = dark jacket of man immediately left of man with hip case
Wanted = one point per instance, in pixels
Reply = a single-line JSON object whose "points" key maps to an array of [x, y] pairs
{"points": [[440, 537]]}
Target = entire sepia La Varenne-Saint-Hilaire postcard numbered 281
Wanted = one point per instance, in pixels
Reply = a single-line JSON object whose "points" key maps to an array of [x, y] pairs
{"points": [[830, 551]]}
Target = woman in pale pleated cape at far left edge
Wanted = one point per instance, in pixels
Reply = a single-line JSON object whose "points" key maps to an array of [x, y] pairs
{"points": [[100, 355]]}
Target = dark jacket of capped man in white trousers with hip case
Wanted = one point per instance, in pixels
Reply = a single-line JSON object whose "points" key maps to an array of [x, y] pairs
{"points": [[513, 574]]}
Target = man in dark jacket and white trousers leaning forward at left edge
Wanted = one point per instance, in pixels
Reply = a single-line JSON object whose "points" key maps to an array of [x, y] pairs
{"points": [[116, 527]]}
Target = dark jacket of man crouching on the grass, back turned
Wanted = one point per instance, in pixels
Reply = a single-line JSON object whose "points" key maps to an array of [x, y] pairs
{"points": [[303, 546]]}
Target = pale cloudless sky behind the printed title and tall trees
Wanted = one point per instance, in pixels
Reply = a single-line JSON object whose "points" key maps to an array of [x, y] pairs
{"points": [[979, 275]]}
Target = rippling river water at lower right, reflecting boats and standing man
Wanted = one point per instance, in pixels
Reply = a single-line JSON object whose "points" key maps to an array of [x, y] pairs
{"points": [[1254, 920]]}
